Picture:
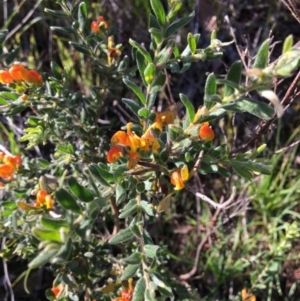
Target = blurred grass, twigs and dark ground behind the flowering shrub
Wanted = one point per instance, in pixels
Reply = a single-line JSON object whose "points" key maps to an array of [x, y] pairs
{"points": [[212, 253]]}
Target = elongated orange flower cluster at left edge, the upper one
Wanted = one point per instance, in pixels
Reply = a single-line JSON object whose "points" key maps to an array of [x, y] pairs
{"points": [[19, 74]]}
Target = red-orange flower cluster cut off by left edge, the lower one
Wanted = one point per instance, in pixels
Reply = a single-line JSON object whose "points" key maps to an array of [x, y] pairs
{"points": [[8, 166]]}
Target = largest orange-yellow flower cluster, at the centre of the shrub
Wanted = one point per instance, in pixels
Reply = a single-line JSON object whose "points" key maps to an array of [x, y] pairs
{"points": [[130, 144]]}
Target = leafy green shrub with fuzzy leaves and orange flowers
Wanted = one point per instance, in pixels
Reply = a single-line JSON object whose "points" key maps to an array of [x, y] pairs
{"points": [[86, 212]]}
